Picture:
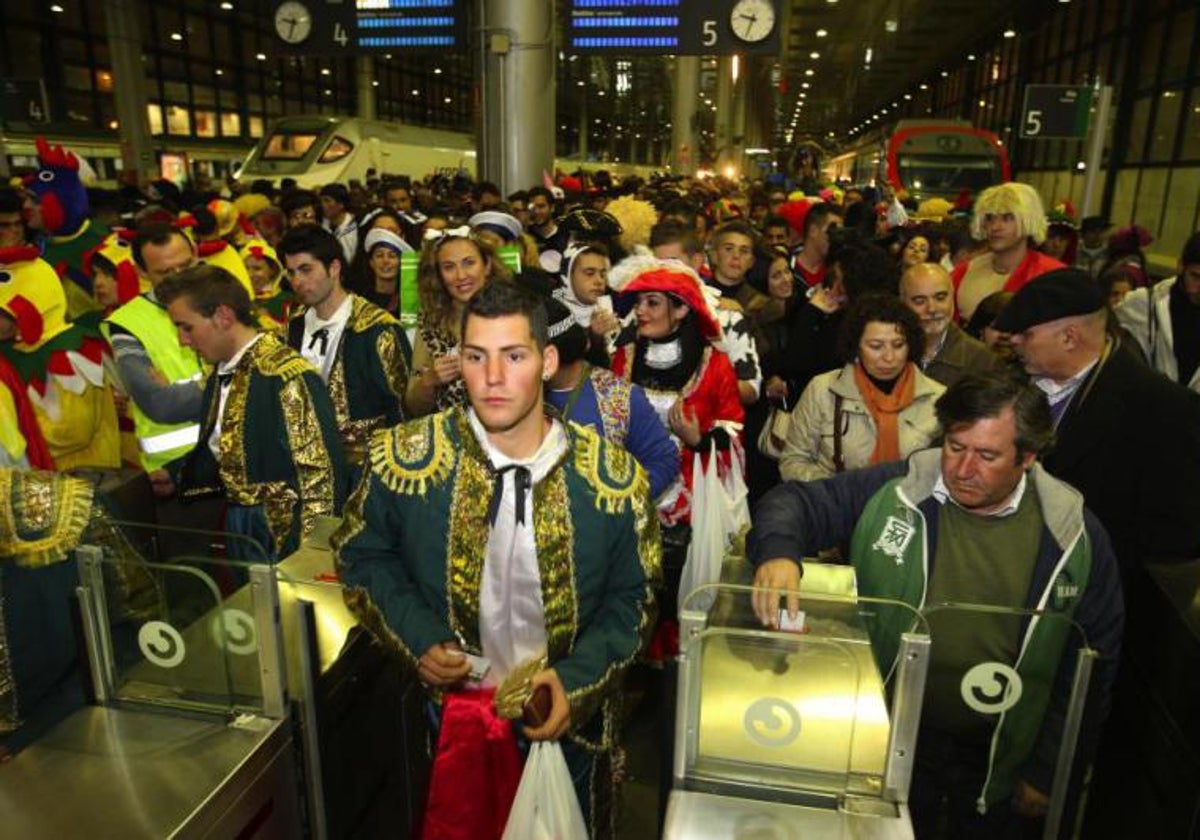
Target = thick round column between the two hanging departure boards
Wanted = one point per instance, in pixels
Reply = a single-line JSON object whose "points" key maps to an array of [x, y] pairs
{"points": [[518, 140]]}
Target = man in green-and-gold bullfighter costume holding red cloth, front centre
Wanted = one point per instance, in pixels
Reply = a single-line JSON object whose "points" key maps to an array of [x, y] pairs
{"points": [[496, 551]]}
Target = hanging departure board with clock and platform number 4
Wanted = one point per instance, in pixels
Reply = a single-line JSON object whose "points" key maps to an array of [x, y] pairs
{"points": [[325, 27]]}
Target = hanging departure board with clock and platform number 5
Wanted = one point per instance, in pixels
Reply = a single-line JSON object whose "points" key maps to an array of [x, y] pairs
{"points": [[679, 27]]}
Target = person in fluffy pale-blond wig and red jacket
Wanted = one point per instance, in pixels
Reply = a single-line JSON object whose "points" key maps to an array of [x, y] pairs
{"points": [[1011, 220]]}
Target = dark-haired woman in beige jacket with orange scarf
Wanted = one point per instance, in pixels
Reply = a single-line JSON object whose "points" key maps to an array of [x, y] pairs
{"points": [[878, 407]]}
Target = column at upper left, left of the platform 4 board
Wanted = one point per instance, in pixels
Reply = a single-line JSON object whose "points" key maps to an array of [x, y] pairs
{"points": [[130, 88]]}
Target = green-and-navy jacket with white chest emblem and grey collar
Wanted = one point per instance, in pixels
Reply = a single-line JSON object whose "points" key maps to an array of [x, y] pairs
{"points": [[890, 514]]}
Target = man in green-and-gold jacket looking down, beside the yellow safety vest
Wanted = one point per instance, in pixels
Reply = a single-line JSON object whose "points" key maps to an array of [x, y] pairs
{"points": [[268, 436]]}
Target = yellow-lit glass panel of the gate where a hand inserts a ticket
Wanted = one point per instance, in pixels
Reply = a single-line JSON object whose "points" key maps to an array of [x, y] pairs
{"points": [[787, 712]]}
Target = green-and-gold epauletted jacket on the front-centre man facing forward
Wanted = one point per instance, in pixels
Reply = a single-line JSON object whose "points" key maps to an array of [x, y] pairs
{"points": [[412, 548]]}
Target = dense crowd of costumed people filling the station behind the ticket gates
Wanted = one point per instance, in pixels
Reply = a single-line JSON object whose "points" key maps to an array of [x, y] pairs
{"points": [[926, 392]]}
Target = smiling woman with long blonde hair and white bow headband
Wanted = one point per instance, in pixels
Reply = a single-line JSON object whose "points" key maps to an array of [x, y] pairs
{"points": [[454, 267]]}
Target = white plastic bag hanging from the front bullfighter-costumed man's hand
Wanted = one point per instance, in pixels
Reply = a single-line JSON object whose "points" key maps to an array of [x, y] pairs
{"points": [[547, 807]]}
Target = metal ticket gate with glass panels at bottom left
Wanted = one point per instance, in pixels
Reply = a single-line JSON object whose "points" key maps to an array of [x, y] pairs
{"points": [[230, 700]]}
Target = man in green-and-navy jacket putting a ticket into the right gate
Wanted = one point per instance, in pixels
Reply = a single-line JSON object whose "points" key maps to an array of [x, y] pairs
{"points": [[979, 523]]}
